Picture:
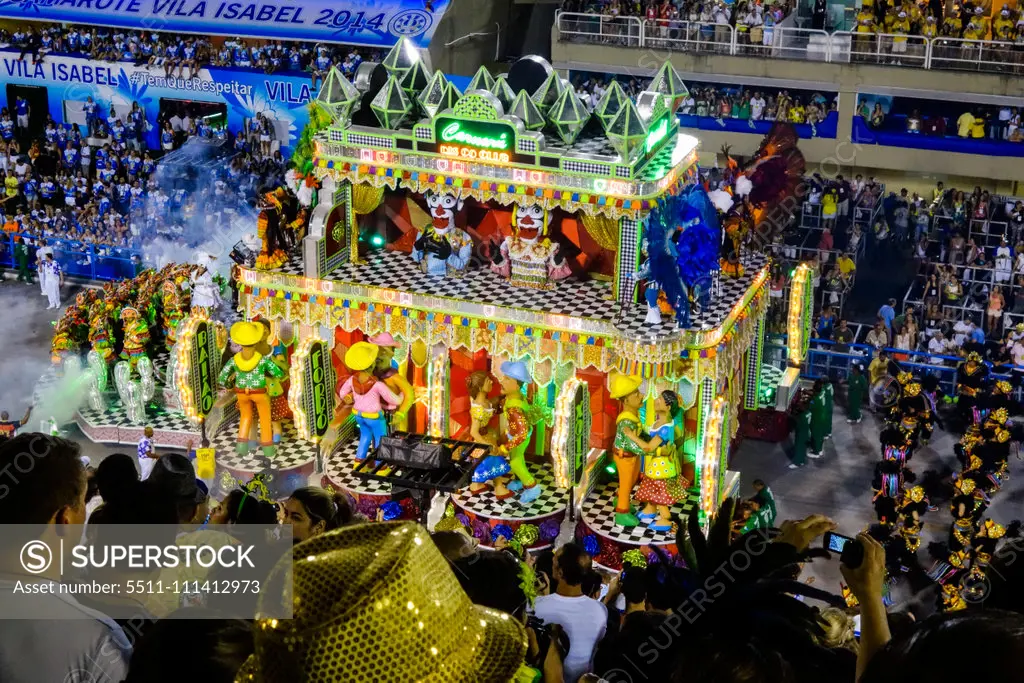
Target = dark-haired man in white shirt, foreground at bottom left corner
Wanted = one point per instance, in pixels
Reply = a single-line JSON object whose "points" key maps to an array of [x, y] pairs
{"points": [[48, 635]]}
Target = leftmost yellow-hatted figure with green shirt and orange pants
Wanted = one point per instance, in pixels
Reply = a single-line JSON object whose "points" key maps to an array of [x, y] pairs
{"points": [[248, 371]]}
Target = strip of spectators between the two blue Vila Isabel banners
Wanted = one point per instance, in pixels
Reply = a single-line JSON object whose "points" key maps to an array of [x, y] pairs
{"points": [[183, 56]]}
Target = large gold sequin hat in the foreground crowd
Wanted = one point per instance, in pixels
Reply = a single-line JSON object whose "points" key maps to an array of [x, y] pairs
{"points": [[377, 604]]}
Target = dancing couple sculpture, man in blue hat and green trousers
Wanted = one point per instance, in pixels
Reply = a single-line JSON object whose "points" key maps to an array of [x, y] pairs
{"points": [[519, 418]]}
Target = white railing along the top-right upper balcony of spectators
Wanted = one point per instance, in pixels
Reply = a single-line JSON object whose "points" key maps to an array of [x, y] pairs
{"points": [[786, 42]]}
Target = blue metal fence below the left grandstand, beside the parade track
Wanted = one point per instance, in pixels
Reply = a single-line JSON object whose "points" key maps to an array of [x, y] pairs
{"points": [[78, 260]]}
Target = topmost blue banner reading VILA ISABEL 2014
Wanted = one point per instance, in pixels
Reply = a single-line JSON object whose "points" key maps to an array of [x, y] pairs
{"points": [[371, 23]]}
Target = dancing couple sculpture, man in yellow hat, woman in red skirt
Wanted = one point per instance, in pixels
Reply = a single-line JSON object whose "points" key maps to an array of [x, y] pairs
{"points": [[654, 459]]}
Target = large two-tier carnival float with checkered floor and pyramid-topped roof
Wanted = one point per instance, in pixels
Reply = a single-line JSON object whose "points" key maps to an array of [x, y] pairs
{"points": [[502, 261]]}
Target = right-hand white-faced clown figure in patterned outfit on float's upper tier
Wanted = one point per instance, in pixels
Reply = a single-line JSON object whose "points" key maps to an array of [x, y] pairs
{"points": [[528, 258]]}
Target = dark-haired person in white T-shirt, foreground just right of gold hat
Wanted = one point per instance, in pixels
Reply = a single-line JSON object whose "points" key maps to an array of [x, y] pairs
{"points": [[584, 619]]}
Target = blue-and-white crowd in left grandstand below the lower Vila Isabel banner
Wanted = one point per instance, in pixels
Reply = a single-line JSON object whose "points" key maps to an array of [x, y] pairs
{"points": [[99, 186]]}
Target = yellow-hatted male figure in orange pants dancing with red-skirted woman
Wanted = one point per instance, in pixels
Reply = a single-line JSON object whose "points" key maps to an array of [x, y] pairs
{"points": [[630, 446]]}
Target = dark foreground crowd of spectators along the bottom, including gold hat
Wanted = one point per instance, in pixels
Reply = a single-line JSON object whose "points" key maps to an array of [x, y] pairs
{"points": [[541, 617]]}
